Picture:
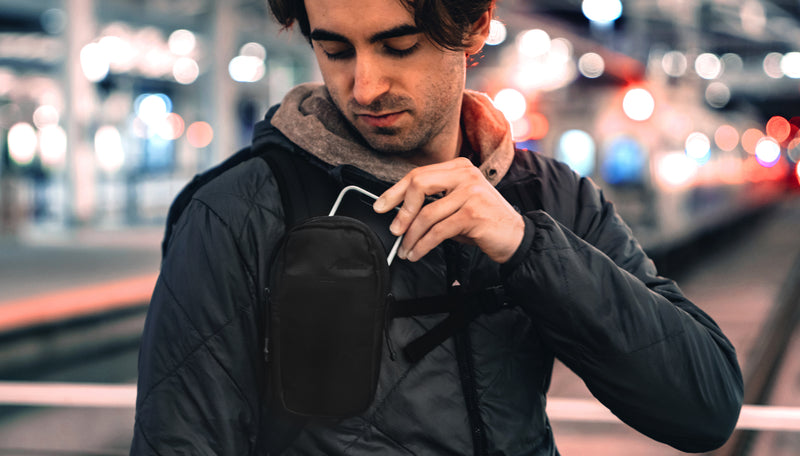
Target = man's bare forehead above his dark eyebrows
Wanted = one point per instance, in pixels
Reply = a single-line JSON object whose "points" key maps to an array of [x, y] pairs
{"points": [[352, 18]]}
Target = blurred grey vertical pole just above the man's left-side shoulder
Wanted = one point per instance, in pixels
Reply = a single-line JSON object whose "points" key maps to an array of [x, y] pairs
{"points": [[223, 91]]}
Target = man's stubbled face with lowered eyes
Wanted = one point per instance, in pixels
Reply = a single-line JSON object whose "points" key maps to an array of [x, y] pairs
{"points": [[397, 89]]}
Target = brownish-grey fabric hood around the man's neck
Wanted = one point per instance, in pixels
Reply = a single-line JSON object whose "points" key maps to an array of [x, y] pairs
{"points": [[308, 117]]}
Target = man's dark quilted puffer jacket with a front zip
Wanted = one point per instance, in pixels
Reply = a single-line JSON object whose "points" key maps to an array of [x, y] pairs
{"points": [[583, 290]]}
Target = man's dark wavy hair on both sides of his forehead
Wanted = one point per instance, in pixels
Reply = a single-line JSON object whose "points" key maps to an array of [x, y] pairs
{"points": [[445, 22]]}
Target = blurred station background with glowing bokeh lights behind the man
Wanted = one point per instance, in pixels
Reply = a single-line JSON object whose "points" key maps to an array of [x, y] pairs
{"points": [[686, 112]]}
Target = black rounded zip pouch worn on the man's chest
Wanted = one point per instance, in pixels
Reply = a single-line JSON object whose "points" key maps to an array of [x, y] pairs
{"points": [[328, 299]]}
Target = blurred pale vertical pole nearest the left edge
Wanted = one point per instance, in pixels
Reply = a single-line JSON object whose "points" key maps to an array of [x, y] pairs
{"points": [[79, 105]]}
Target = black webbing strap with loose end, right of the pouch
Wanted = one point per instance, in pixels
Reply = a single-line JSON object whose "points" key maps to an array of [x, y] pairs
{"points": [[462, 307]]}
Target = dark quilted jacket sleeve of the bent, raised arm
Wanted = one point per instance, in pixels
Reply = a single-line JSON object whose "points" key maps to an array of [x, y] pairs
{"points": [[652, 357]]}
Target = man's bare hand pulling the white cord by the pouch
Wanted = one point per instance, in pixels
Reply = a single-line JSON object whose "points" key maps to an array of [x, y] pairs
{"points": [[471, 211]]}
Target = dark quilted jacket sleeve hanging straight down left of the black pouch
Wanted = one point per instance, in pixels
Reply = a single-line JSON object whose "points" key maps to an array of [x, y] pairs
{"points": [[201, 369]]}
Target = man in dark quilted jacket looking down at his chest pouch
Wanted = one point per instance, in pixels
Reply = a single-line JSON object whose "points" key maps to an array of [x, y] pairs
{"points": [[393, 105]]}
